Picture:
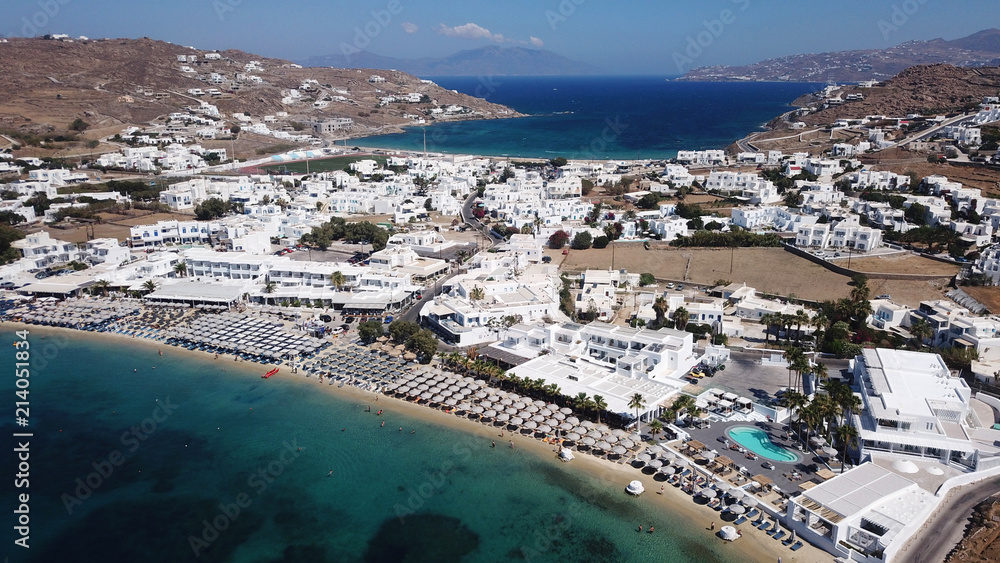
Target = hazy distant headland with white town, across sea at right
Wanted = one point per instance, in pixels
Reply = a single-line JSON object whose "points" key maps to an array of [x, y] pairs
{"points": [[979, 49]]}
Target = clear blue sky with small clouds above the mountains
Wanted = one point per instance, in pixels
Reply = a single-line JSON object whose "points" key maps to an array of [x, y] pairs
{"points": [[622, 37]]}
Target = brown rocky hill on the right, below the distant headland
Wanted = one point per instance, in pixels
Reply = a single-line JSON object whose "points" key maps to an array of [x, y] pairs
{"points": [[926, 90]]}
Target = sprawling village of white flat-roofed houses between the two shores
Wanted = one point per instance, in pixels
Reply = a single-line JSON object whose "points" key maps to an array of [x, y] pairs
{"points": [[470, 249]]}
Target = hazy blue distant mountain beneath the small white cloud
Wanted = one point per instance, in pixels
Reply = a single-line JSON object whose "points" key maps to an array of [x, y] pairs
{"points": [[489, 60]]}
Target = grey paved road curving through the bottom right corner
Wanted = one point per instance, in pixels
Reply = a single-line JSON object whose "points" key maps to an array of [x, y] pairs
{"points": [[945, 529]]}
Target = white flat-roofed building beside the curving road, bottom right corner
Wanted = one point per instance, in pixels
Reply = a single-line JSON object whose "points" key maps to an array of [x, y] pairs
{"points": [[865, 514]]}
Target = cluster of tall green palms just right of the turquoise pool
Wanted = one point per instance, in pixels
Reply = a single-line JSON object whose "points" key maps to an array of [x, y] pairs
{"points": [[828, 413]]}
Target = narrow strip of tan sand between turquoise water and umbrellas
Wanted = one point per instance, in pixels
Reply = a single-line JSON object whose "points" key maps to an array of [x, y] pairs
{"points": [[753, 546]]}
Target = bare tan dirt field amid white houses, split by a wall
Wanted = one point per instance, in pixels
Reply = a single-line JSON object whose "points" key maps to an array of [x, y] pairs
{"points": [[769, 269]]}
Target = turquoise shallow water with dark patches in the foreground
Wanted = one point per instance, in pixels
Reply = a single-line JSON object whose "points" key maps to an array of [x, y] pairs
{"points": [[432, 495]]}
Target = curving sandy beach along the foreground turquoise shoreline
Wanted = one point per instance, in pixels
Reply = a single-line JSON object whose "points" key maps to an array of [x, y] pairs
{"points": [[584, 470]]}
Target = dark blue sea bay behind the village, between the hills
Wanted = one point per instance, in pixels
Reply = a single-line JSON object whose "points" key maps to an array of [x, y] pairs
{"points": [[614, 117]]}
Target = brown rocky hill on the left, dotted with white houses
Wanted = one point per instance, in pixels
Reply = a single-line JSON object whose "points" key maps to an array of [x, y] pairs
{"points": [[45, 84]]}
